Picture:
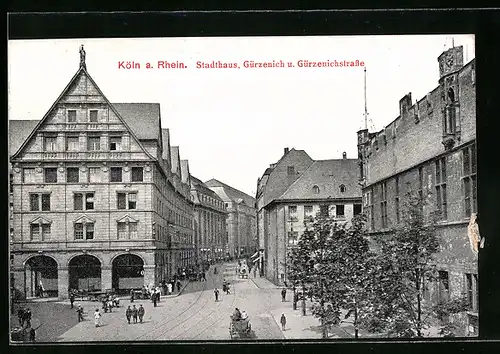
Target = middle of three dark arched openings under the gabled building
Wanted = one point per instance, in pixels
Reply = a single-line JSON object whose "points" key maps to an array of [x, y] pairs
{"points": [[84, 273]]}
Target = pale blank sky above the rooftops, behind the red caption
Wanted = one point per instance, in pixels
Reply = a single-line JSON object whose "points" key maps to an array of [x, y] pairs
{"points": [[231, 124]]}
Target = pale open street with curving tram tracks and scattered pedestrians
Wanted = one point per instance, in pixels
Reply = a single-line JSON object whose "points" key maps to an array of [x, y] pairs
{"points": [[193, 315]]}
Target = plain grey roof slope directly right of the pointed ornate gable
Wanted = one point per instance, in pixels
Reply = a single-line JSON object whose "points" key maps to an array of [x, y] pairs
{"points": [[142, 118]]}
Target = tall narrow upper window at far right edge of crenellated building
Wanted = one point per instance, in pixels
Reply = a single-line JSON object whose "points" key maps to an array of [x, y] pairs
{"points": [[469, 181]]}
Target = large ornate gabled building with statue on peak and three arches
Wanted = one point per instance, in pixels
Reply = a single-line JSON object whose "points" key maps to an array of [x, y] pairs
{"points": [[95, 204]]}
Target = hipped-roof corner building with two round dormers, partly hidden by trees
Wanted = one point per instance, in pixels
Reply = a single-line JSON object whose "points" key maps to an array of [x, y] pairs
{"points": [[290, 194]]}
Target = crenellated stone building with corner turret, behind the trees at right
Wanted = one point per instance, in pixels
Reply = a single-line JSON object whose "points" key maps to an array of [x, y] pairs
{"points": [[430, 149]]}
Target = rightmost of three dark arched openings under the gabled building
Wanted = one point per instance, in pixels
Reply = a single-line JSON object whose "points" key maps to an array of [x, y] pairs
{"points": [[127, 273]]}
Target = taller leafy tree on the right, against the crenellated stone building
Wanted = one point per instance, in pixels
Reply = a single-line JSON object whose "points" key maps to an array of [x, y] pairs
{"points": [[405, 264]]}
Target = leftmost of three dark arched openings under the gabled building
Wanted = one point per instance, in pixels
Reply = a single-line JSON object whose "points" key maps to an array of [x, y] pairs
{"points": [[41, 278]]}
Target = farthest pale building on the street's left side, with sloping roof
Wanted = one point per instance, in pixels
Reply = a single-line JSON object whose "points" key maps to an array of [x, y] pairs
{"points": [[241, 221]]}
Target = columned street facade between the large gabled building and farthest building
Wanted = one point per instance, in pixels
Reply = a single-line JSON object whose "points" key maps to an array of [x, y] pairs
{"points": [[209, 223]]}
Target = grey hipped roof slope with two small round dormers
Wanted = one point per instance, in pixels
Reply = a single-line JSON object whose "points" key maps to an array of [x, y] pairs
{"points": [[328, 175]]}
